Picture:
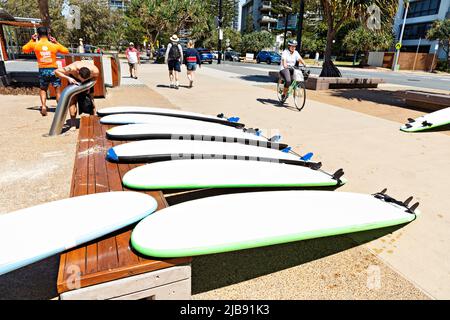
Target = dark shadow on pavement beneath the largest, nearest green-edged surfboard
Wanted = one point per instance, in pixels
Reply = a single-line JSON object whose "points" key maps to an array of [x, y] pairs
{"points": [[219, 270]]}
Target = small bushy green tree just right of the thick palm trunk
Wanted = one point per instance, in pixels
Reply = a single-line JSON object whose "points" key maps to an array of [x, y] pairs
{"points": [[363, 40]]}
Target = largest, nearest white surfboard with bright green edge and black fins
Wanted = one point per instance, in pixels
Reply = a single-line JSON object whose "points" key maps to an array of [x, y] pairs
{"points": [[248, 220]]}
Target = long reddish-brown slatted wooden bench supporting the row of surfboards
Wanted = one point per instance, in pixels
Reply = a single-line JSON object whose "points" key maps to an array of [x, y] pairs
{"points": [[108, 268]]}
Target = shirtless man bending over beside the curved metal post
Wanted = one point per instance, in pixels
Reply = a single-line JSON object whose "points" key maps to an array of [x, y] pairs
{"points": [[76, 73]]}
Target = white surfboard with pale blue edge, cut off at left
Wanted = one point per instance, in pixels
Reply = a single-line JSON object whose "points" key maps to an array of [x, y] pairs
{"points": [[35, 233]]}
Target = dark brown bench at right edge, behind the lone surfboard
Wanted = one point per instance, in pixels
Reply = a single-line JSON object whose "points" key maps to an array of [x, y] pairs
{"points": [[425, 100]]}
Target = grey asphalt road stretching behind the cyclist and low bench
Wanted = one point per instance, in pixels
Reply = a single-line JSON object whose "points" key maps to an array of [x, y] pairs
{"points": [[429, 81]]}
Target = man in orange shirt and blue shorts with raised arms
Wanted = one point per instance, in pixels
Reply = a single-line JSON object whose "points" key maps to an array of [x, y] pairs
{"points": [[46, 47]]}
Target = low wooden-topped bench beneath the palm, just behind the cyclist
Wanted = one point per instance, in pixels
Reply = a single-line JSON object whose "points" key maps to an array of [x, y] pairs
{"points": [[325, 83]]}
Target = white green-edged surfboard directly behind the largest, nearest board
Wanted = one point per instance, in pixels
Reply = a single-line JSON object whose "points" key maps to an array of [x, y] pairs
{"points": [[207, 173]]}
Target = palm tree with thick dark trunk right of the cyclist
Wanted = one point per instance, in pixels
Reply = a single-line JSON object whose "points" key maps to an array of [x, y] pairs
{"points": [[337, 12]]}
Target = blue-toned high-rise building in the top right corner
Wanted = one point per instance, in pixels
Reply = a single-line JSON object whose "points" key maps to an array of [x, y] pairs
{"points": [[419, 19]]}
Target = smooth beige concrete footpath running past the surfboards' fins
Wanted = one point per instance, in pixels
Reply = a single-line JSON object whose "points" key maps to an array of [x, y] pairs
{"points": [[372, 151]]}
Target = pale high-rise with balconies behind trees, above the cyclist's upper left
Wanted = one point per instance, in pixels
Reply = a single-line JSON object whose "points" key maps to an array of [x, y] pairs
{"points": [[259, 14]]}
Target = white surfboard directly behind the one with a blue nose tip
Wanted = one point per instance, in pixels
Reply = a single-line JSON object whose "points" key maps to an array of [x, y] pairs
{"points": [[222, 134]]}
